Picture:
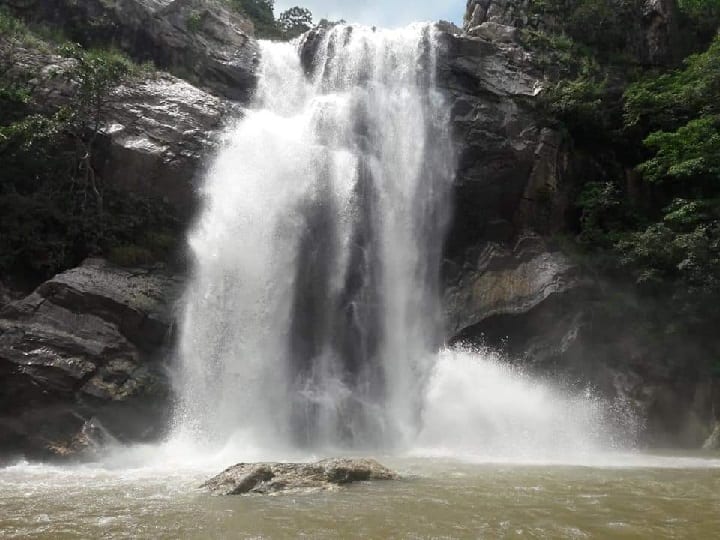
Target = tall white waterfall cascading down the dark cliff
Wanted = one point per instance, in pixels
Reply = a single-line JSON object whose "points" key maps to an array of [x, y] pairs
{"points": [[312, 318]]}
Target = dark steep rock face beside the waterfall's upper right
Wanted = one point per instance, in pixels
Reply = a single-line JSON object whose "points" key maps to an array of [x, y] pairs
{"points": [[511, 169]]}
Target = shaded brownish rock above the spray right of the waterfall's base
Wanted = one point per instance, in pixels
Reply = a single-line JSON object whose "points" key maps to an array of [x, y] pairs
{"points": [[546, 314]]}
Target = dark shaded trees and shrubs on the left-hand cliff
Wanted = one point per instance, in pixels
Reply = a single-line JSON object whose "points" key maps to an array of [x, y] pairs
{"points": [[54, 208]]}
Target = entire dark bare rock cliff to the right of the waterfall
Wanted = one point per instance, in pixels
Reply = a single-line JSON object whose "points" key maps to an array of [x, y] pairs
{"points": [[509, 282]]}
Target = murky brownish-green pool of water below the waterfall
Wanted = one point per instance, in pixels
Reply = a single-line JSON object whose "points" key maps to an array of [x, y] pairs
{"points": [[630, 496]]}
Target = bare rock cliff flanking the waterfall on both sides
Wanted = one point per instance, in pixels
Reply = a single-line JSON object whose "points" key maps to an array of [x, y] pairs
{"points": [[84, 356]]}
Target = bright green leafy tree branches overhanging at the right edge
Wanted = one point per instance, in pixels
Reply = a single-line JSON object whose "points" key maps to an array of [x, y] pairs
{"points": [[679, 251]]}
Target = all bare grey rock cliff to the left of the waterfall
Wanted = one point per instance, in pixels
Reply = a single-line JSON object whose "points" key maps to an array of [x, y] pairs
{"points": [[84, 357]]}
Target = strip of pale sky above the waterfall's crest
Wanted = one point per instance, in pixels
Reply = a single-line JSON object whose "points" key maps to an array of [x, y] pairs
{"points": [[385, 13]]}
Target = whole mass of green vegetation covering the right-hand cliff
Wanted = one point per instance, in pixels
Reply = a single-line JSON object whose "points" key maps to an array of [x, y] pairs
{"points": [[649, 208]]}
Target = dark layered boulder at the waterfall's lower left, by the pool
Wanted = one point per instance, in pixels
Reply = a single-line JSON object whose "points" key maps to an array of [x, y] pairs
{"points": [[84, 353]]}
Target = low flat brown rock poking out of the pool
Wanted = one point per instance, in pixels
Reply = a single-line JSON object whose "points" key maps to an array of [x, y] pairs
{"points": [[266, 478]]}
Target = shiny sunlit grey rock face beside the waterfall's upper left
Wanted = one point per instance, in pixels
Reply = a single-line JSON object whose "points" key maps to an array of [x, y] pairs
{"points": [[158, 134]]}
